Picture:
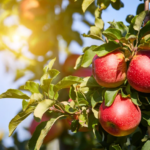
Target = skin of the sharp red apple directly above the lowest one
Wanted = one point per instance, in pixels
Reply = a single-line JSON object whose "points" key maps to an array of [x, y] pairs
{"points": [[110, 70]]}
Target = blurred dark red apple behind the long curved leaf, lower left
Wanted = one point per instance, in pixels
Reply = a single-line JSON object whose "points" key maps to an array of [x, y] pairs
{"points": [[54, 132]]}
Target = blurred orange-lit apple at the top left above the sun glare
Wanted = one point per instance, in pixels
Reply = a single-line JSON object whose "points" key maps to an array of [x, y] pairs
{"points": [[33, 13]]}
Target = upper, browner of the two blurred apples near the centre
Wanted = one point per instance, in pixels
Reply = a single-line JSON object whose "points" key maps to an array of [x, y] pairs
{"points": [[68, 66]]}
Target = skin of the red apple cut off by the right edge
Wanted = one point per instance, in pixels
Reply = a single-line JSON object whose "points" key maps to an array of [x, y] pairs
{"points": [[138, 73]]}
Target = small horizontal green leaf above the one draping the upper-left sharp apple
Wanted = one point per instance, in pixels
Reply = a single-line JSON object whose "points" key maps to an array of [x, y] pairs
{"points": [[112, 34]]}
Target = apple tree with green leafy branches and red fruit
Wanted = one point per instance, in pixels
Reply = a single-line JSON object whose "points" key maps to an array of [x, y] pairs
{"points": [[111, 106]]}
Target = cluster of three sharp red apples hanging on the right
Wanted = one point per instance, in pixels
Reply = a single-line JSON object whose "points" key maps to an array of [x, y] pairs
{"points": [[110, 71]]}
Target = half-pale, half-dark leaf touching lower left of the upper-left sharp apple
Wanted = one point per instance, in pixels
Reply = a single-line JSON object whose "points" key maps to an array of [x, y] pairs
{"points": [[89, 82]]}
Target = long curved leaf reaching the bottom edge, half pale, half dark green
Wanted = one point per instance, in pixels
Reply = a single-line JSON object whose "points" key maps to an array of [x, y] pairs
{"points": [[41, 131]]}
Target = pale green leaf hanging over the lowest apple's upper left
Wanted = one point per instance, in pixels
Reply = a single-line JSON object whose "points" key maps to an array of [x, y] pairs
{"points": [[110, 95]]}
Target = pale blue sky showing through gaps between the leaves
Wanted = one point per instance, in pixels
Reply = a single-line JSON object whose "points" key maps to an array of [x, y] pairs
{"points": [[10, 107]]}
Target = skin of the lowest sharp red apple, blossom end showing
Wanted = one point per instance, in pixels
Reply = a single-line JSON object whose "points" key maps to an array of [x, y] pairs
{"points": [[121, 118]]}
